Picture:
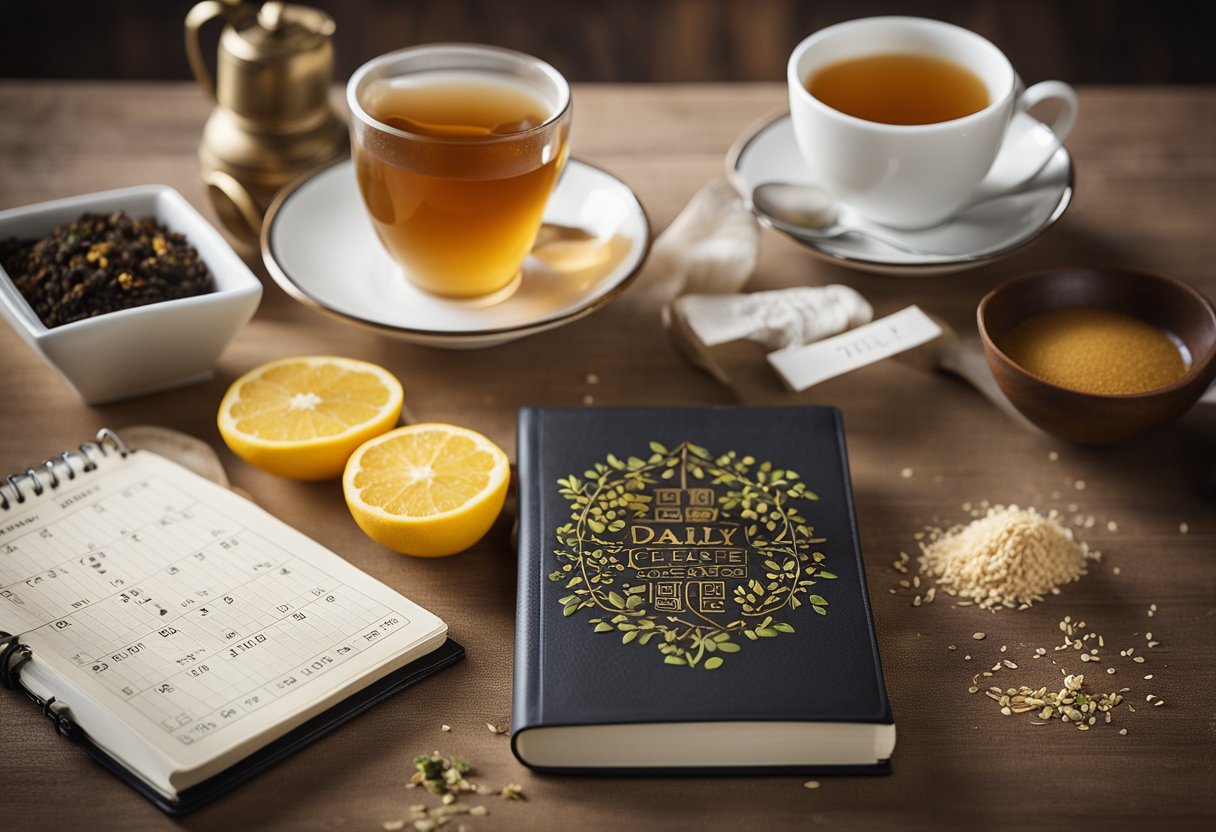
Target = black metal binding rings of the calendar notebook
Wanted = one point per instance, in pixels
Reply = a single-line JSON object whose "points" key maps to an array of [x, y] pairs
{"points": [[14, 654]]}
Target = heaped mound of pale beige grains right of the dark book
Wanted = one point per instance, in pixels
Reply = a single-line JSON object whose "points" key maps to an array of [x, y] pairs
{"points": [[1011, 558]]}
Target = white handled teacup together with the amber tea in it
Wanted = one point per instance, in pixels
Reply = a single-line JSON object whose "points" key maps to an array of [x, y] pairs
{"points": [[903, 117]]}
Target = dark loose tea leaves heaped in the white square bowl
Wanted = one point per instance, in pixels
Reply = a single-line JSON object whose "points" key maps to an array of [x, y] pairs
{"points": [[103, 263]]}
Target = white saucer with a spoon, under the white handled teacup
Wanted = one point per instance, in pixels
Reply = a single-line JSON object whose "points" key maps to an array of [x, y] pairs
{"points": [[981, 234]]}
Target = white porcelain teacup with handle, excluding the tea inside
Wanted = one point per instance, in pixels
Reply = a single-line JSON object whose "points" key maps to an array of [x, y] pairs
{"points": [[919, 176]]}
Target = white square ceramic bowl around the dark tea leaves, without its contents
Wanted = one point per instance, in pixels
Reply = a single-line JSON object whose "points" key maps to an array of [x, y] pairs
{"points": [[156, 347]]}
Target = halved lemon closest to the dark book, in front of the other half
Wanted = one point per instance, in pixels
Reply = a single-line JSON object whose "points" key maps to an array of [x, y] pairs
{"points": [[427, 490]]}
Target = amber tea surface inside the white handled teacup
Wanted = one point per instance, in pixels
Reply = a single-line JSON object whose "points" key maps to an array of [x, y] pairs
{"points": [[900, 89]]}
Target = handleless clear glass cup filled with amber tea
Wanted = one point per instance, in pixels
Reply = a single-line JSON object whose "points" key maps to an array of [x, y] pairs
{"points": [[457, 150]]}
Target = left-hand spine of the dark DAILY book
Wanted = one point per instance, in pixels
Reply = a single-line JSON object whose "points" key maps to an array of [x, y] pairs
{"points": [[526, 706]]}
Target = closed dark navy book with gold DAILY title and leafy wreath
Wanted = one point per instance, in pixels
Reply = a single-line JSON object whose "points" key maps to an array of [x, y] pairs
{"points": [[693, 597]]}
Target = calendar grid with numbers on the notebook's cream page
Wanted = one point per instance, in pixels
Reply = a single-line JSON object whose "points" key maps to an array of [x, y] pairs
{"points": [[194, 621]]}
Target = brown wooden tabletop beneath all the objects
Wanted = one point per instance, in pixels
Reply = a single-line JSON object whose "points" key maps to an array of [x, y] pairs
{"points": [[1146, 196]]}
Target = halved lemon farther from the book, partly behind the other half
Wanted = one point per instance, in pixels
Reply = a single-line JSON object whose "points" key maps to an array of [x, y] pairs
{"points": [[302, 418]]}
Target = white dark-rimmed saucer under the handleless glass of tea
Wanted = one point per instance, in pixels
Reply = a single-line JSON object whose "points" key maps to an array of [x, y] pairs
{"points": [[320, 248]]}
